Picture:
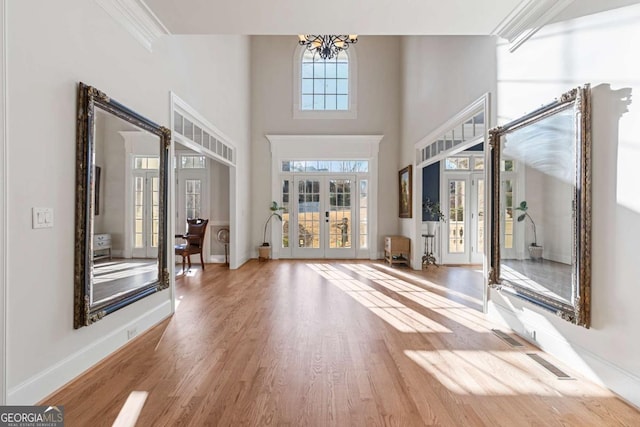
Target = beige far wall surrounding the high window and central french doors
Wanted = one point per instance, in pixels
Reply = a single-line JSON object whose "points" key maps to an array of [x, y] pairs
{"points": [[378, 113]]}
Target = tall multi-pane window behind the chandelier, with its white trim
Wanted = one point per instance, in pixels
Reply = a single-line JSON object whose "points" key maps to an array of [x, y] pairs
{"points": [[325, 87]]}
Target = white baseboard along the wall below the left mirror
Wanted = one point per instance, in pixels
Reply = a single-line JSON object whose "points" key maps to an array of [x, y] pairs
{"points": [[46, 382]]}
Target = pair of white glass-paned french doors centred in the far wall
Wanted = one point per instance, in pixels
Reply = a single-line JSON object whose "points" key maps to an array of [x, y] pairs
{"points": [[323, 217]]}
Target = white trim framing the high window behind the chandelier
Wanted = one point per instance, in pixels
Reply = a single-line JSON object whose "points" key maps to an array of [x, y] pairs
{"points": [[351, 113]]}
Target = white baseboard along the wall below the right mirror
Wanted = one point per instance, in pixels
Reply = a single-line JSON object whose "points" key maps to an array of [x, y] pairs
{"points": [[620, 381]]}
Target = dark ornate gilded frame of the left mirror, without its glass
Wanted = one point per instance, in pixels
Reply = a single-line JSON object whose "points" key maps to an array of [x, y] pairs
{"points": [[86, 313]]}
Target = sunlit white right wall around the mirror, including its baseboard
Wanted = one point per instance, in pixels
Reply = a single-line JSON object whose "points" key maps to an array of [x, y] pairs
{"points": [[597, 49]]}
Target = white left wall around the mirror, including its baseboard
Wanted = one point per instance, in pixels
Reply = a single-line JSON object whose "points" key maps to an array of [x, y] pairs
{"points": [[52, 46]]}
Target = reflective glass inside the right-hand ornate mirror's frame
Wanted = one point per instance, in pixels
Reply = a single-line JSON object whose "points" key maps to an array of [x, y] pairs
{"points": [[537, 176]]}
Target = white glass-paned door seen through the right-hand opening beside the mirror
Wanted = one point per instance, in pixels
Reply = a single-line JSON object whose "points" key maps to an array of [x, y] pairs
{"points": [[465, 209]]}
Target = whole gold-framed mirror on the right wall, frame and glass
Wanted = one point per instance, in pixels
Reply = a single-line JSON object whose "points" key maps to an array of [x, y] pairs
{"points": [[541, 207]]}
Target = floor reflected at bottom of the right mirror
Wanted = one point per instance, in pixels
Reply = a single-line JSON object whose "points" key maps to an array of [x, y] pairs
{"points": [[550, 278]]}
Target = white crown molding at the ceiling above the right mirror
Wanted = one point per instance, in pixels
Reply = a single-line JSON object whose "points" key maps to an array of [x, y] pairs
{"points": [[527, 18]]}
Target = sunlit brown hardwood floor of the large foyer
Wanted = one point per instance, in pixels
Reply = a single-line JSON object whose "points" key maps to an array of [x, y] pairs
{"points": [[313, 343]]}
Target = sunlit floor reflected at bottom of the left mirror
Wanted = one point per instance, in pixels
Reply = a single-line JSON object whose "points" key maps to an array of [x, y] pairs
{"points": [[115, 276]]}
